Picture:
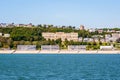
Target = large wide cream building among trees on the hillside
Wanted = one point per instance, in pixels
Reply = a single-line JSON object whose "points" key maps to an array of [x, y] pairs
{"points": [[53, 36]]}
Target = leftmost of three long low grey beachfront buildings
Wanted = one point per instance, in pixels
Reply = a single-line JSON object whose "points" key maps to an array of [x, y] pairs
{"points": [[26, 47]]}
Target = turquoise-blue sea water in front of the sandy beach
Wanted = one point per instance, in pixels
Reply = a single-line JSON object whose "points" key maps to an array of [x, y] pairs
{"points": [[59, 67]]}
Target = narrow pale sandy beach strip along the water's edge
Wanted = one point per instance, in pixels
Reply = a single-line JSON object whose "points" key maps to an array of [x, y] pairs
{"points": [[59, 52]]}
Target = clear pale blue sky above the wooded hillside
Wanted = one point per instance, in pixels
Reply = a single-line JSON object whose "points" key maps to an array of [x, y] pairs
{"points": [[90, 13]]}
